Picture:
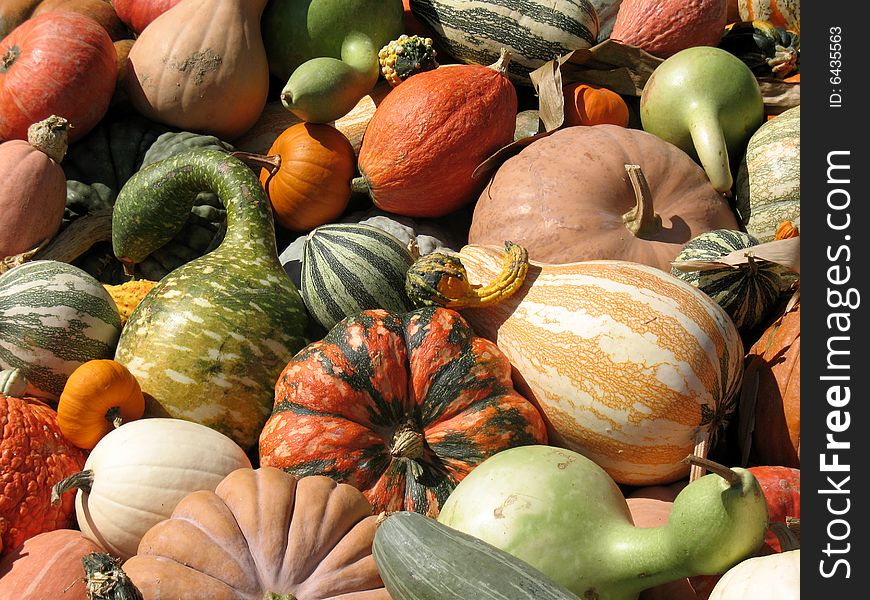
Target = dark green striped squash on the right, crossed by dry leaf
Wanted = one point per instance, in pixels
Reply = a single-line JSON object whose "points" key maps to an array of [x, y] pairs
{"points": [[748, 293]]}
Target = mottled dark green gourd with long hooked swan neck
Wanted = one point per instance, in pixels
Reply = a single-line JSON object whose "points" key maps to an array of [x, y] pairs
{"points": [[208, 342]]}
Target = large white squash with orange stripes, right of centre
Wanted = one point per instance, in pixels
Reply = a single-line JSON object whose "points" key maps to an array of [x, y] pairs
{"points": [[629, 364]]}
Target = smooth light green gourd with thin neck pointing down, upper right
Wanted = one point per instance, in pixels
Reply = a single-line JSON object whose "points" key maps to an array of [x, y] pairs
{"points": [[707, 102]]}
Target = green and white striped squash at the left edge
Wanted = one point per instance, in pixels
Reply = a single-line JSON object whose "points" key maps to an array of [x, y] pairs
{"points": [[53, 317]]}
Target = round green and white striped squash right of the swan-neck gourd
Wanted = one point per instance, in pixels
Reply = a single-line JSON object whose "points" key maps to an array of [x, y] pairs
{"points": [[347, 268]]}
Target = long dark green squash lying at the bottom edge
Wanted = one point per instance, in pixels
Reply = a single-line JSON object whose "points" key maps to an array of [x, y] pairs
{"points": [[420, 558]]}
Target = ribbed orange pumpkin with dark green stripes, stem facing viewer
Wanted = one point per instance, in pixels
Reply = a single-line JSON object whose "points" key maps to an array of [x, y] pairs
{"points": [[400, 405]]}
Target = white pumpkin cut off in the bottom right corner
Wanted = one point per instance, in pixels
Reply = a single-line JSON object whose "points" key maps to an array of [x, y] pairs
{"points": [[772, 577]]}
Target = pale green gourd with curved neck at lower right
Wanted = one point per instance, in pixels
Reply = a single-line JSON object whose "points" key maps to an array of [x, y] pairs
{"points": [[561, 513]]}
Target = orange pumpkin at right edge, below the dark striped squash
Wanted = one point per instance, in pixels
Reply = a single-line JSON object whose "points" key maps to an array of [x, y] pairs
{"points": [[774, 361]]}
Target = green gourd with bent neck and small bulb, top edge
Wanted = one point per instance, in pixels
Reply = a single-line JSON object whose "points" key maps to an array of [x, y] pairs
{"points": [[327, 51]]}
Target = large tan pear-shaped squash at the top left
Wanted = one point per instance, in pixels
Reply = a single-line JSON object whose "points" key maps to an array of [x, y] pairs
{"points": [[201, 66]]}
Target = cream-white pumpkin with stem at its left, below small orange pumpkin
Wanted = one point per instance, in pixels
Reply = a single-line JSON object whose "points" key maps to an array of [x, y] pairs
{"points": [[141, 470]]}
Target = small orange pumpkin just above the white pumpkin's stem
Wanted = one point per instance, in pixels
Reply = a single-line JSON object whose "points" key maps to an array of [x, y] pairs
{"points": [[98, 396]]}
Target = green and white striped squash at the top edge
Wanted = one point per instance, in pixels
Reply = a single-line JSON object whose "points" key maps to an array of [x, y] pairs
{"points": [[534, 31]]}
